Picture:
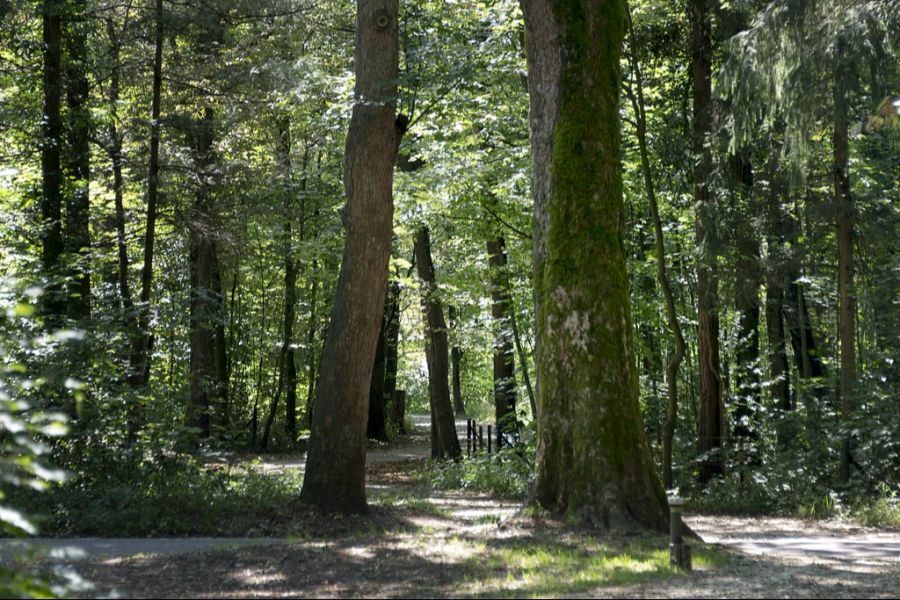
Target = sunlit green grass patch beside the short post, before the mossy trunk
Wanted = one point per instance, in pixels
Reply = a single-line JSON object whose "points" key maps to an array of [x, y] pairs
{"points": [[581, 564]]}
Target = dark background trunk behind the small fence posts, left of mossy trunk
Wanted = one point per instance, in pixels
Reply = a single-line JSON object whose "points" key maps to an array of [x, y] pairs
{"points": [[504, 364]]}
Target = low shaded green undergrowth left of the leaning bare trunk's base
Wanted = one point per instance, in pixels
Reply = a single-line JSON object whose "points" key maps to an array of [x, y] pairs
{"points": [[179, 495]]}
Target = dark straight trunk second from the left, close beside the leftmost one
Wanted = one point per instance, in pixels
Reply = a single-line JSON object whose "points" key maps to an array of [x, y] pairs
{"points": [[78, 169]]}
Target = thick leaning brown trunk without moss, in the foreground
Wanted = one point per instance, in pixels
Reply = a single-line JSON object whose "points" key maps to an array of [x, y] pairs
{"points": [[335, 471]]}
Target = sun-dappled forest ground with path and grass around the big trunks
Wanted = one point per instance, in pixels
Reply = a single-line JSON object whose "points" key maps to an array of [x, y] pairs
{"points": [[417, 542]]}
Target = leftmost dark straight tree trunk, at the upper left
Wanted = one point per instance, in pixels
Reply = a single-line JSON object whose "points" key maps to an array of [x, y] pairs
{"points": [[51, 167]]}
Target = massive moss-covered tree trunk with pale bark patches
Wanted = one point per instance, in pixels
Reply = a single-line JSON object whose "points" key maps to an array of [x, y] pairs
{"points": [[593, 459]]}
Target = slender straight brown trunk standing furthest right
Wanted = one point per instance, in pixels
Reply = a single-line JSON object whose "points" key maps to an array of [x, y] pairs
{"points": [[846, 209]]}
